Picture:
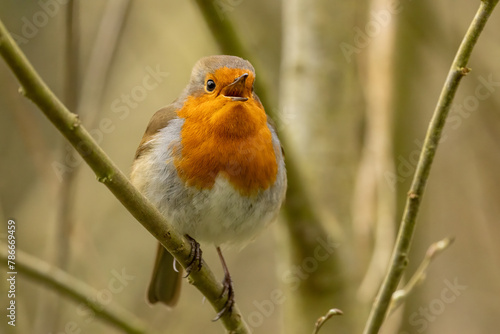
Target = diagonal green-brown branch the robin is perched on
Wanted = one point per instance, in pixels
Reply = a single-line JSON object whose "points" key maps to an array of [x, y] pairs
{"points": [[106, 172]]}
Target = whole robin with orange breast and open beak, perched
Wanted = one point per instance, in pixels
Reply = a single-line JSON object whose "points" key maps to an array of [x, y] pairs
{"points": [[212, 163]]}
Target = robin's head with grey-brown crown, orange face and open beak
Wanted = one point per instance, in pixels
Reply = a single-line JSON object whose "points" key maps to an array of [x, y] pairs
{"points": [[220, 94]]}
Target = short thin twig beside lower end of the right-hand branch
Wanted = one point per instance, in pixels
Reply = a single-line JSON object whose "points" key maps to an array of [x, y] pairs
{"points": [[399, 296]]}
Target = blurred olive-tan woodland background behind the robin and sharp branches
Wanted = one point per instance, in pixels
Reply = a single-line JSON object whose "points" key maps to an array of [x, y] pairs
{"points": [[352, 87]]}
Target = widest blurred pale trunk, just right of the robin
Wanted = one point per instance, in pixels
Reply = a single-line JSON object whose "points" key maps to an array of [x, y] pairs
{"points": [[317, 98]]}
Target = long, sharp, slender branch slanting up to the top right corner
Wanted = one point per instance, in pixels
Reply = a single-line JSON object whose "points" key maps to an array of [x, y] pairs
{"points": [[399, 258]]}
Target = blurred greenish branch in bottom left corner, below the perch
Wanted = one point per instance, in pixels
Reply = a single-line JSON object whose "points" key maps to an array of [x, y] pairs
{"points": [[67, 285]]}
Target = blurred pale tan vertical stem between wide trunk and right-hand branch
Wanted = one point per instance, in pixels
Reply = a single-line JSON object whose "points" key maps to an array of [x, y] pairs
{"points": [[374, 201]]}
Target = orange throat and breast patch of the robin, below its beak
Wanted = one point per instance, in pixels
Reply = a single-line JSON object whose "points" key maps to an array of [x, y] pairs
{"points": [[229, 138]]}
